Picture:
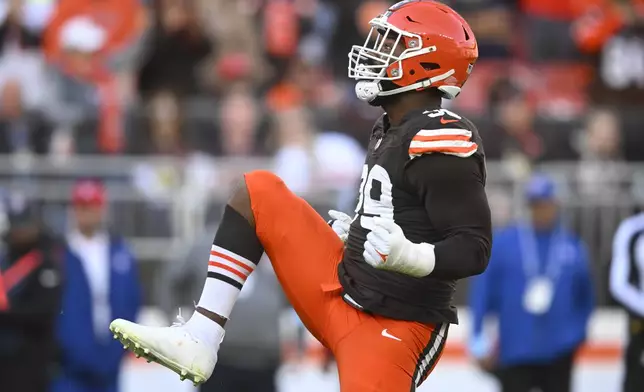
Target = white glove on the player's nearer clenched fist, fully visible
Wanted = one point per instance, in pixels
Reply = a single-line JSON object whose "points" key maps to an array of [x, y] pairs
{"points": [[387, 248]]}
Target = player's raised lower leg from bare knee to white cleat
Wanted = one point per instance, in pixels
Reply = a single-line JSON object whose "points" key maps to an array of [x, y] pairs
{"points": [[190, 349]]}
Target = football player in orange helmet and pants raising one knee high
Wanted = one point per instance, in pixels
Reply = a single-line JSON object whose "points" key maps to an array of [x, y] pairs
{"points": [[376, 289]]}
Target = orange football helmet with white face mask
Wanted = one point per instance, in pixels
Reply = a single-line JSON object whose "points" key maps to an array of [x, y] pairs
{"points": [[414, 45]]}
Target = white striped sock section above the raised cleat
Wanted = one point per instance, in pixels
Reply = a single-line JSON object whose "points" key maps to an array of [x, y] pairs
{"points": [[227, 273]]}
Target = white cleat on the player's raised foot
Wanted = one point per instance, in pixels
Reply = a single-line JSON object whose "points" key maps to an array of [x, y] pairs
{"points": [[174, 347]]}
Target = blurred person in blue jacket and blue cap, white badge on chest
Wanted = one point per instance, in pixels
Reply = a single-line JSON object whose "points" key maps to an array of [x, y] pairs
{"points": [[539, 288]]}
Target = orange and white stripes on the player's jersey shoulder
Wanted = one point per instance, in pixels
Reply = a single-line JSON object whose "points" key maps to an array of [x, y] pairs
{"points": [[450, 141]]}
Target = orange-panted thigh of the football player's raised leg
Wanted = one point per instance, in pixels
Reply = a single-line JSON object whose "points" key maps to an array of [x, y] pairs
{"points": [[303, 249]]}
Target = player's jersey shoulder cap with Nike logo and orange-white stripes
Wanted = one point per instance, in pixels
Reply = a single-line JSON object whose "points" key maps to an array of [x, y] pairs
{"points": [[444, 132]]}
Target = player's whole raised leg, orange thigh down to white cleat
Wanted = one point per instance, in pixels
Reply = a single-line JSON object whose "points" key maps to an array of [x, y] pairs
{"points": [[262, 214]]}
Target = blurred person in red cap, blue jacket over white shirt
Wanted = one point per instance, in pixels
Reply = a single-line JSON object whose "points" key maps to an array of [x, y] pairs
{"points": [[101, 282]]}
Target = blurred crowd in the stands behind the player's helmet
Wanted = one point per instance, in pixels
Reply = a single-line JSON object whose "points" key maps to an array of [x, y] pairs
{"points": [[557, 80]]}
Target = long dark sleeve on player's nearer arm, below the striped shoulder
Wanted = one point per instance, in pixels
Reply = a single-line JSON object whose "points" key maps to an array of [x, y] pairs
{"points": [[453, 191]]}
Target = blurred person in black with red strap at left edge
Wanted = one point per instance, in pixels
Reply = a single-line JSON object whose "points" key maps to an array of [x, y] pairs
{"points": [[30, 277]]}
